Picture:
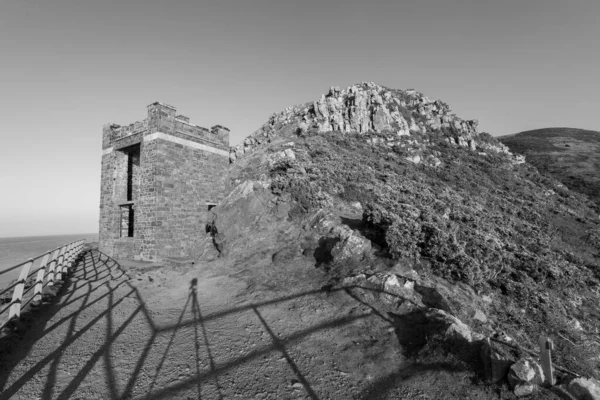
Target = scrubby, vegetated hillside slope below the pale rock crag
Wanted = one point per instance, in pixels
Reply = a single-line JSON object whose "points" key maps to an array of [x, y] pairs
{"points": [[480, 219]]}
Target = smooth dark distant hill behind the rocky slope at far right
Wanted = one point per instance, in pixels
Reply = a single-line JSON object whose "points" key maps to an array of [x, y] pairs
{"points": [[569, 155]]}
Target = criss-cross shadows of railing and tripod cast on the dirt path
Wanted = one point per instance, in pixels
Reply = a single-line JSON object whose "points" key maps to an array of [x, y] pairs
{"points": [[96, 266]]}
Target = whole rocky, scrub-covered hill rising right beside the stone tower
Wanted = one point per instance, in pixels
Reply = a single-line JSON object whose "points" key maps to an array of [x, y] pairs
{"points": [[442, 232]]}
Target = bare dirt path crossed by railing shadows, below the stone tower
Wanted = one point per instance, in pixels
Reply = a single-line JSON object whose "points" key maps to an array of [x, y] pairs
{"points": [[168, 334]]}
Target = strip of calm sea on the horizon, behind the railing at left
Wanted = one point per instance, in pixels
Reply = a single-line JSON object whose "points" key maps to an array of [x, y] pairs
{"points": [[15, 250]]}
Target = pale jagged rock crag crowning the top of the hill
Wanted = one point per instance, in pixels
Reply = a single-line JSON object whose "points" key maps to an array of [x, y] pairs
{"points": [[368, 107]]}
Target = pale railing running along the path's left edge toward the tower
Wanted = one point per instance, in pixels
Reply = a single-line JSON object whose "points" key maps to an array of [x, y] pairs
{"points": [[49, 269]]}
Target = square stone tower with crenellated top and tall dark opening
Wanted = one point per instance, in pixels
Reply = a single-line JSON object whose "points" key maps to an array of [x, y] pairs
{"points": [[160, 177]]}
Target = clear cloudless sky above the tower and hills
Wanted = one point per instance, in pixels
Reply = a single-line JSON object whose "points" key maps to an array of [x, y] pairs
{"points": [[67, 67]]}
